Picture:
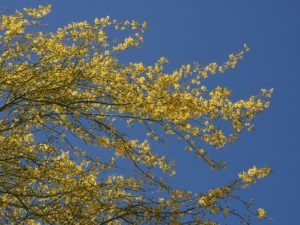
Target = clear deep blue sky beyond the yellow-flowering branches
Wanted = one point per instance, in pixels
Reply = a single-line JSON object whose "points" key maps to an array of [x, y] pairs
{"points": [[208, 30]]}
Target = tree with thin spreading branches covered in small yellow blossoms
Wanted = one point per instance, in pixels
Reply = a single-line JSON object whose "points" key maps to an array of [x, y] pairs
{"points": [[63, 92]]}
